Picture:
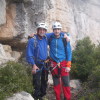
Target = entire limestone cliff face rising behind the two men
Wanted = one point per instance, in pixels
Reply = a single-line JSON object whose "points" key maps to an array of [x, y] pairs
{"points": [[80, 17]]}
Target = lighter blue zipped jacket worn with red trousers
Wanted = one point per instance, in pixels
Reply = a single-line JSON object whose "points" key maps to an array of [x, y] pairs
{"points": [[57, 50]]}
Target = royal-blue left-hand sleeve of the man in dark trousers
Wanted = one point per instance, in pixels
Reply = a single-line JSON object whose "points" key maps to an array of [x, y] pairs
{"points": [[30, 52]]}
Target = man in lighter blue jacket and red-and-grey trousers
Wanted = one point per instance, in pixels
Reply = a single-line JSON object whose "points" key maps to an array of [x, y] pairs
{"points": [[60, 54]]}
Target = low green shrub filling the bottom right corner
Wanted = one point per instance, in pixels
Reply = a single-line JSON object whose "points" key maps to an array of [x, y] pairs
{"points": [[91, 88]]}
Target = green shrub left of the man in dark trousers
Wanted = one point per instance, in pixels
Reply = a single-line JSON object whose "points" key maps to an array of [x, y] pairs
{"points": [[14, 77]]}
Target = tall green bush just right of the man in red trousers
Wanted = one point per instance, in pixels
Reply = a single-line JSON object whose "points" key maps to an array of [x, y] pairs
{"points": [[84, 59]]}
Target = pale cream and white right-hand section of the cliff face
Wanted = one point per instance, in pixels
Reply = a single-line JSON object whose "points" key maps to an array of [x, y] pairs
{"points": [[80, 17]]}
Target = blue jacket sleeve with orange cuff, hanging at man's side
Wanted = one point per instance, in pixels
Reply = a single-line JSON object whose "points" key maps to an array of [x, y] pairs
{"points": [[68, 54]]}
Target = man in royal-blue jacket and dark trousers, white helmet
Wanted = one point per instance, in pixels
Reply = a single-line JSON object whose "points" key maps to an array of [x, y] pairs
{"points": [[36, 54]]}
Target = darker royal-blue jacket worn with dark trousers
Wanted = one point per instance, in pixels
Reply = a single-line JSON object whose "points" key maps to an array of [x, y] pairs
{"points": [[36, 51]]}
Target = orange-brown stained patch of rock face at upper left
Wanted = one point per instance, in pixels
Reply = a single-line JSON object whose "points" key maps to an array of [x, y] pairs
{"points": [[7, 30]]}
